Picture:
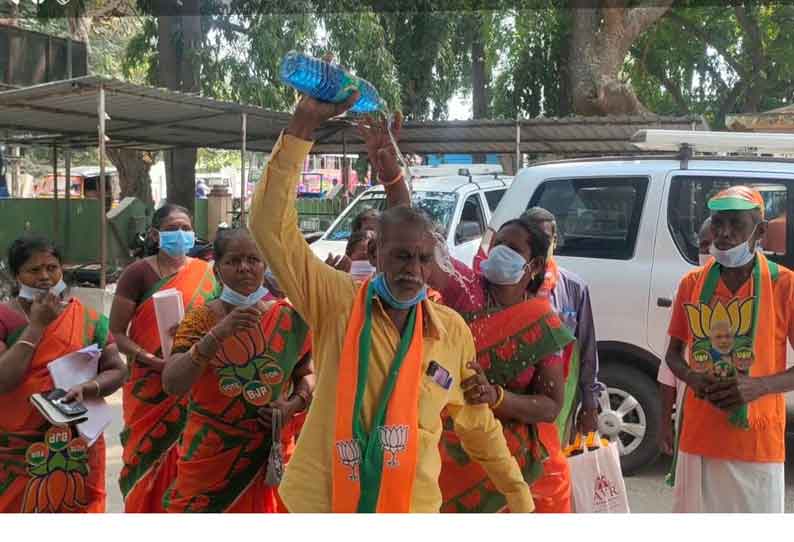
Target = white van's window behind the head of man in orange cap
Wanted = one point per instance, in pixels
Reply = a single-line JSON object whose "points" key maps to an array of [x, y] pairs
{"points": [[687, 210]]}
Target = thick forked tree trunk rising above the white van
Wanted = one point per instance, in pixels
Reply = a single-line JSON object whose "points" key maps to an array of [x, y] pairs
{"points": [[600, 42]]}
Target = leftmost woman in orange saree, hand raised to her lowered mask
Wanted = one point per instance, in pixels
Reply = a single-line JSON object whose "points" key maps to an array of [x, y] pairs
{"points": [[44, 468]]}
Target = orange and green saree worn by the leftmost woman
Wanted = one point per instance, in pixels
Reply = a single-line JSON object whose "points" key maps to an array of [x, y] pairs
{"points": [[44, 468]]}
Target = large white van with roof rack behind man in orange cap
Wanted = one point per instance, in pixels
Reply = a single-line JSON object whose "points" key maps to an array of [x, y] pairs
{"points": [[629, 227]]}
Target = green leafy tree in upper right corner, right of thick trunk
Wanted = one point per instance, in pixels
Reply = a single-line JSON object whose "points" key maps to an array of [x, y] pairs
{"points": [[715, 60]]}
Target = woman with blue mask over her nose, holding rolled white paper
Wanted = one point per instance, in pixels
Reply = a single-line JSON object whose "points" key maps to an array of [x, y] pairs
{"points": [[153, 421]]}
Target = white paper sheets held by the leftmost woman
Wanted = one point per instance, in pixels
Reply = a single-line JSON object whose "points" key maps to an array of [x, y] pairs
{"points": [[77, 368]]}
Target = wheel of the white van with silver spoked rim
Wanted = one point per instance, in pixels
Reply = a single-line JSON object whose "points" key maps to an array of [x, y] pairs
{"points": [[629, 415]]}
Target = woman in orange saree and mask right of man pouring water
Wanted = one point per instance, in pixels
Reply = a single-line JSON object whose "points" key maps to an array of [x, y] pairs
{"points": [[522, 350]]}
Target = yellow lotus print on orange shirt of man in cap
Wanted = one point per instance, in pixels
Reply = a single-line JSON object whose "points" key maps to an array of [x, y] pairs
{"points": [[722, 341]]}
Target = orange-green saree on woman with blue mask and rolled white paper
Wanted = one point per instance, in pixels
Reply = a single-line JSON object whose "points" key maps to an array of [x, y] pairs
{"points": [[153, 420]]}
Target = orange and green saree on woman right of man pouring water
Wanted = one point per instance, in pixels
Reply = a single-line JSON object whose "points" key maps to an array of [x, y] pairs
{"points": [[509, 342]]}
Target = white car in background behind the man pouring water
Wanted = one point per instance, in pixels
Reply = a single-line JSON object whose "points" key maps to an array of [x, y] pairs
{"points": [[460, 201]]}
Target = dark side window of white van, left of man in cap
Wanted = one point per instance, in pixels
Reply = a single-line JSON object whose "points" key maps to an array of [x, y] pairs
{"points": [[596, 218]]}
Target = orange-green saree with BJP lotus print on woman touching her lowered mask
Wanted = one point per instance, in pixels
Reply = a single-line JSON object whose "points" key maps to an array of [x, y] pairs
{"points": [[224, 448]]}
